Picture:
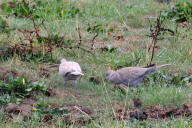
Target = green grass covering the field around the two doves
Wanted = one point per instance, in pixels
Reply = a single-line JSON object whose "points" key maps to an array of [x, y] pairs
{"points": [[121, 17]]}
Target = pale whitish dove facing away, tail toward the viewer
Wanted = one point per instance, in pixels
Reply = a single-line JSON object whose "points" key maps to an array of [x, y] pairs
{"points": [[70, 70]]}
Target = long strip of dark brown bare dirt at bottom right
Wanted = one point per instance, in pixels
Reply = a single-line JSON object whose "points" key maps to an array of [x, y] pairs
{"points": [[153, 112]]}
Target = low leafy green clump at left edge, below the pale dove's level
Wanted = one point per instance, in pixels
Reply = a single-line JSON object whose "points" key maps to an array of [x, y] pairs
{"points": [[13, 90]]}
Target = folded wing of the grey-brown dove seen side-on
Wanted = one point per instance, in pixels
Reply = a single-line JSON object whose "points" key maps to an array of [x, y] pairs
{"points": [[132, 75]]}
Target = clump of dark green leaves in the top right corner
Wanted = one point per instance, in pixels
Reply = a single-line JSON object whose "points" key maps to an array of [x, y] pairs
{"points": [[181, 12]]}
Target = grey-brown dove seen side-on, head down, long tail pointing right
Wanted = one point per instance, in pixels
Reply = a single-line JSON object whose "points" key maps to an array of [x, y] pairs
{"points": [[130, 76]]}
